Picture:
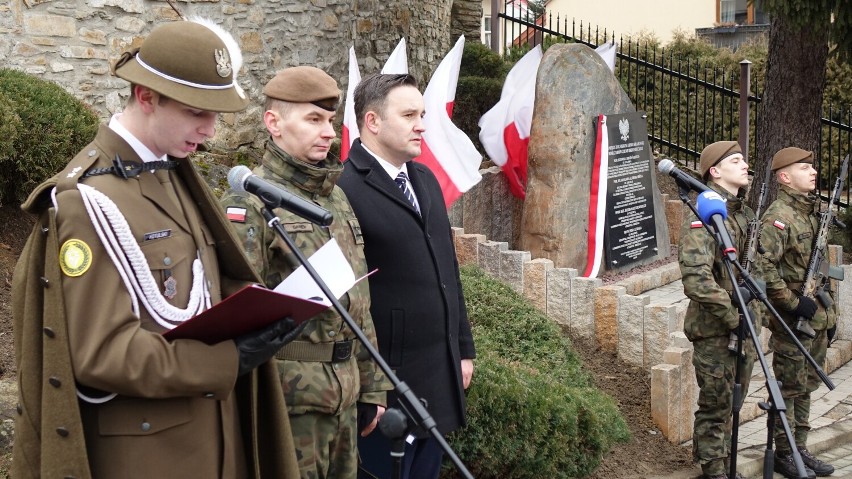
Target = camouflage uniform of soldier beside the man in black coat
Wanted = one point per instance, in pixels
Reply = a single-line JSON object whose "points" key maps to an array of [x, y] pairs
{"points": [[321, 395]]}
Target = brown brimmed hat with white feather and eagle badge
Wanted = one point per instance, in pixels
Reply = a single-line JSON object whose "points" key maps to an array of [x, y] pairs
{"points": [[193, 62]]}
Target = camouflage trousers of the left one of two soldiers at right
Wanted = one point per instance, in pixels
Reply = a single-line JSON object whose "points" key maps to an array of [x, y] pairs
{"points": [[715, 370]]}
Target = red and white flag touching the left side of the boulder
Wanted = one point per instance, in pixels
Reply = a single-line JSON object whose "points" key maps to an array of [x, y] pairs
{"points": [[504, 130]]}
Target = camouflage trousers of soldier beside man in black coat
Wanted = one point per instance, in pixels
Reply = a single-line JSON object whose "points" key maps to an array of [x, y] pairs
{"points": [[326, 444]]}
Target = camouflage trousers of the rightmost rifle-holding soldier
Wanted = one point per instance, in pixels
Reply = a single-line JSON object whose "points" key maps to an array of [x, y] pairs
{"points": [[798, 381]]}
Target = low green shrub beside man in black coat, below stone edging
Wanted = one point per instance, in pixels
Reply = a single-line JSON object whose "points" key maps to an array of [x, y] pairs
{"points": [[532, 409]]}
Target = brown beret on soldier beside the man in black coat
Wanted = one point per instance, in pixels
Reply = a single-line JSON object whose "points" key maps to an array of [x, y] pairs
{"points": [[304, 85]]}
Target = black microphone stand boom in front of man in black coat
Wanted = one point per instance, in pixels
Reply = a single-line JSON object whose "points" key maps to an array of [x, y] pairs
{"points": [[410, 403]]}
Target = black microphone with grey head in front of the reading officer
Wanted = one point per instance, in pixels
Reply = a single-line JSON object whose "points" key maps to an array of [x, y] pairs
{"points": [[242, 179]]}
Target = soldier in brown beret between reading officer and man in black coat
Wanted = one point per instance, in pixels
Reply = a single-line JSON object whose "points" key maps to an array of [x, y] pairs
{"points": [[334, 389]]}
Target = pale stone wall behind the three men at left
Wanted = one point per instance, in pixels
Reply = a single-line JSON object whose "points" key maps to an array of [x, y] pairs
{"points": [[73, 43]]}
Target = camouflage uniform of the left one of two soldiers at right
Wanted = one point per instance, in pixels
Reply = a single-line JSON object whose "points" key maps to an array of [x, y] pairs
{"points": [[710, 317]]}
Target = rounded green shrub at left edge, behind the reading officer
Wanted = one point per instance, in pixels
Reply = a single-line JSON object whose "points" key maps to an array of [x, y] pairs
{"points": [[51, 127]]}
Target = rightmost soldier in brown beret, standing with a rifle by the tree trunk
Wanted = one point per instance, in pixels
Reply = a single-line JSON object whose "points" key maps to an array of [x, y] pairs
{"points": [[788, 230]]}
